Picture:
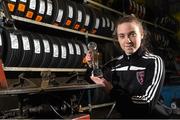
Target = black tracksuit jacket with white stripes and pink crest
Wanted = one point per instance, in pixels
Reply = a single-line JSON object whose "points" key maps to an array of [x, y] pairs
{"points": [[137, 80]]}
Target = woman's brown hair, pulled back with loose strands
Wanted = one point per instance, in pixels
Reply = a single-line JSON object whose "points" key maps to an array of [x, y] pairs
{"points": [[132, 18]]}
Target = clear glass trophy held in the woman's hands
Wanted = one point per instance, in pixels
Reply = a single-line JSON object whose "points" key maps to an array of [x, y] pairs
{"points": [[92, 46]]}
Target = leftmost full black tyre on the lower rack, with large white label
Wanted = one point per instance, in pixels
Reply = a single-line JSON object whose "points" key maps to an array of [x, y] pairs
{"points": [[12, 48]]}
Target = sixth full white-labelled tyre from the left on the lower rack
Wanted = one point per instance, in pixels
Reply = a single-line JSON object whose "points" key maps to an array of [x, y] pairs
{"points": [[64, 52]]}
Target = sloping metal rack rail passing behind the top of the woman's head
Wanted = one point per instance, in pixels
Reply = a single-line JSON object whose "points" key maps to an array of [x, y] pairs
{"points": [[122, 14]]}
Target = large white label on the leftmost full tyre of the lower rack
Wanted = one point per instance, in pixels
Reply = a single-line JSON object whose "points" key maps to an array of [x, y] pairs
{"points": [[14, 41]]}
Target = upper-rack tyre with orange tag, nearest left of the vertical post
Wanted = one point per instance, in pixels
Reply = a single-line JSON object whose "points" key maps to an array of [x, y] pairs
{"points": [[80, 17]]}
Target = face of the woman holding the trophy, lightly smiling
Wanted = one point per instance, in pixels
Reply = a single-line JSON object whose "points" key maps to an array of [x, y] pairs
{"points": [[129, 37]]}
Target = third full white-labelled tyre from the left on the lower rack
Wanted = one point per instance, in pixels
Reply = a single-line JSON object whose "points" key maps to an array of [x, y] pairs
{"points": [[38, 52]]}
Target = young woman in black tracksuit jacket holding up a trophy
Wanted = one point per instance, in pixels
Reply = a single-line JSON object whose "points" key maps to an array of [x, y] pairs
{"points": [[135, 78]]}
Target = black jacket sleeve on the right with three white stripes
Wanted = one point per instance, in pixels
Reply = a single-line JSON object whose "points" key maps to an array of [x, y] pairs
{"points": [[154, 80]]}
